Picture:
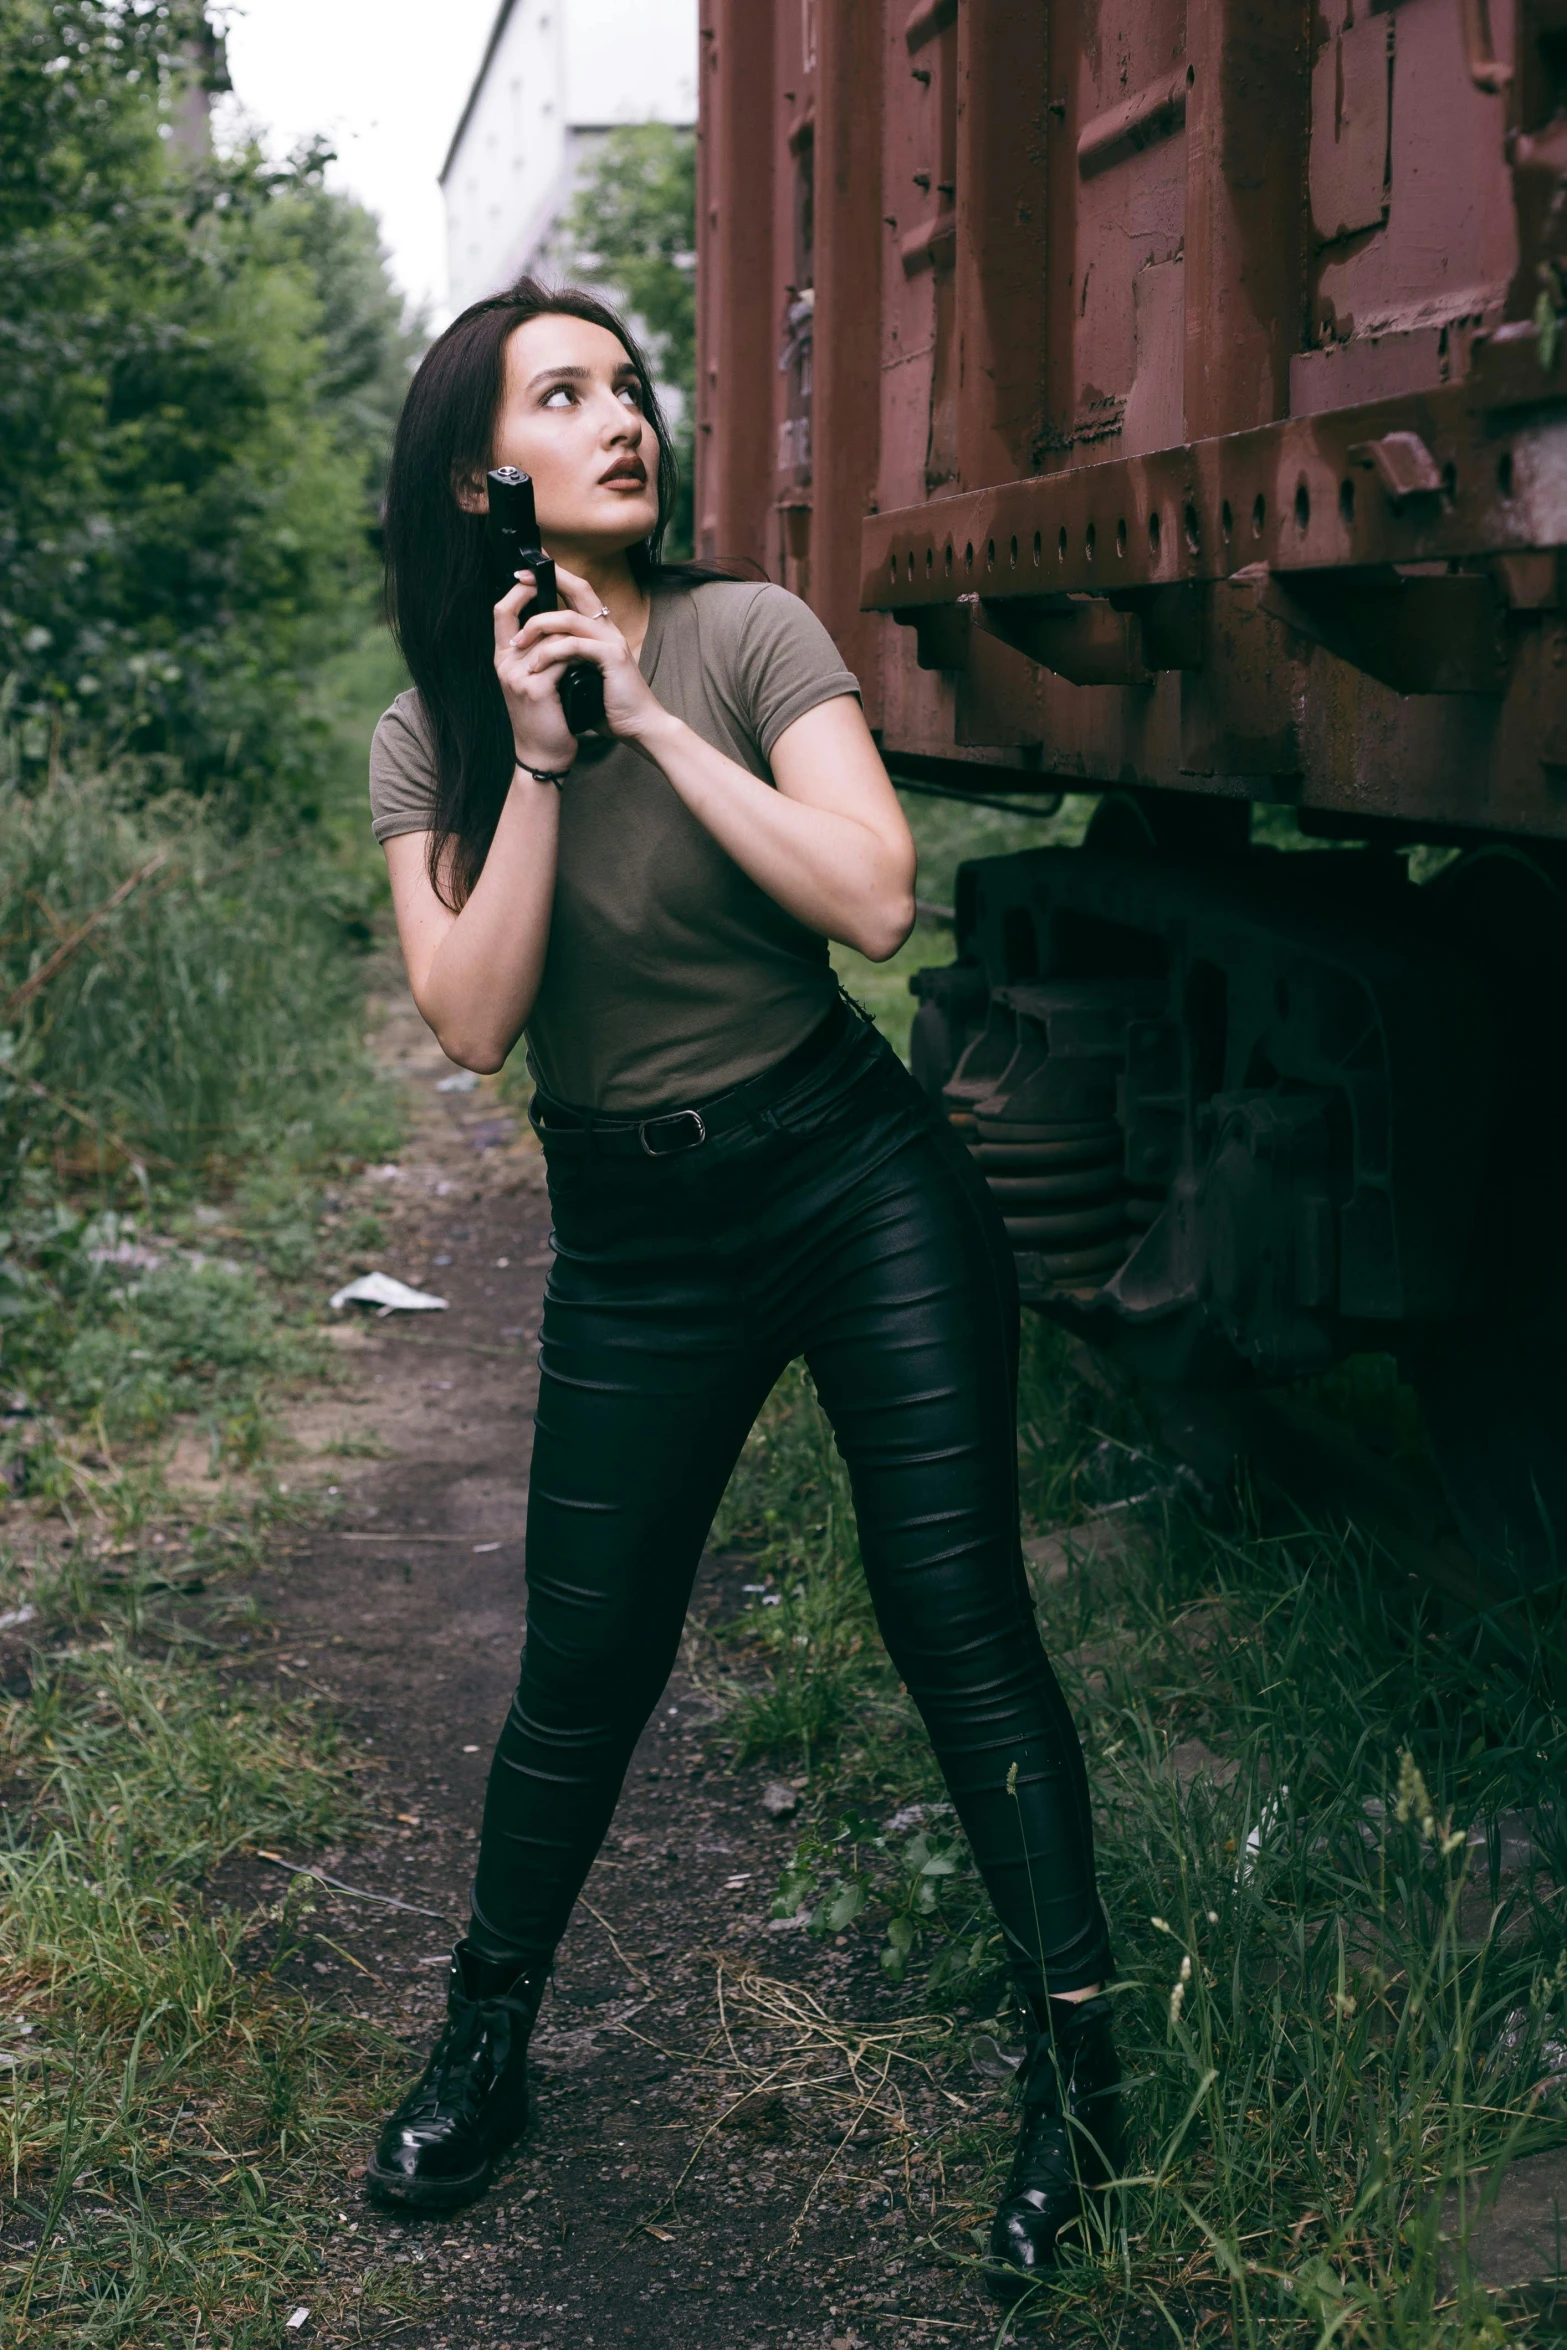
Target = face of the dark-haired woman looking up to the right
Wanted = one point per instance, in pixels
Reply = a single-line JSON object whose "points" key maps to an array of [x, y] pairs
{"points": [[572, 417]]}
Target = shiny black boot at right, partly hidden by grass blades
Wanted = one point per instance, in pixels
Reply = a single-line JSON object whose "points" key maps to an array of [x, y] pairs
{"points": [[1070, 2135]]}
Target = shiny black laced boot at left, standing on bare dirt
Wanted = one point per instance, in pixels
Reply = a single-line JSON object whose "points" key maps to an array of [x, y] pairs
{"points": [[440, 2147]]}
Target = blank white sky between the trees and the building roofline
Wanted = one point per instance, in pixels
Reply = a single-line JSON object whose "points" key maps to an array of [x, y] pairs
{"points": [[386, 83]]}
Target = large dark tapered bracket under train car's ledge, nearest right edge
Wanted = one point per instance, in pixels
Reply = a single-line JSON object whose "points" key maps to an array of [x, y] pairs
{"points": [[1418, 636]]}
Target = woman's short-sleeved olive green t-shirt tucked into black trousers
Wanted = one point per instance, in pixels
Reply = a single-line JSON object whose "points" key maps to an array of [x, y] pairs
{"points": [[671, 974]]}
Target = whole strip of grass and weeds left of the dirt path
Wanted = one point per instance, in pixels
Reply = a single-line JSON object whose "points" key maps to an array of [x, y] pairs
{"points": [[182, 1087]]}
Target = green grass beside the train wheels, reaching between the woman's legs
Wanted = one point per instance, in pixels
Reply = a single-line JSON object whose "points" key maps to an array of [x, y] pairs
{"points": [[1333, 2015]]}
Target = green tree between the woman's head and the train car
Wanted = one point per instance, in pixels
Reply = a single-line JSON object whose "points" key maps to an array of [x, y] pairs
{"points": [[633, 231]]}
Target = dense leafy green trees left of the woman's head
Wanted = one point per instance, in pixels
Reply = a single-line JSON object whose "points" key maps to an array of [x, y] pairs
{"points": [[203, 361]]}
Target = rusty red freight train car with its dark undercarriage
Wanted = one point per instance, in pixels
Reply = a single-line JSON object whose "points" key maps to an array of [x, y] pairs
{"points": [[1166, 398]]}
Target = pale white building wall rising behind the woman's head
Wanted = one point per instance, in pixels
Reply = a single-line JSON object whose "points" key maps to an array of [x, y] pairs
{"points": [[556, 74]]}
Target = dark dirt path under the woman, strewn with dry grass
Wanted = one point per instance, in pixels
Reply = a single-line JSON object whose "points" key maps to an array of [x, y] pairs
{"points": [[640, 2210]]}
